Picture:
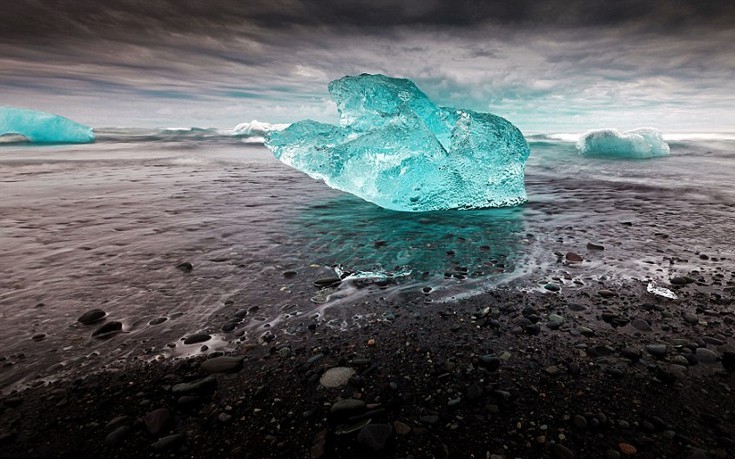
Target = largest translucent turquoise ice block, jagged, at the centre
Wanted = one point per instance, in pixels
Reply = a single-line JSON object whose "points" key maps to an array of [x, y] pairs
{"points": [[396, 148]]}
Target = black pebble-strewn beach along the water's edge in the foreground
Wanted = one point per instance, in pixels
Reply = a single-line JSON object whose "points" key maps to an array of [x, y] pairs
{"points": [[602, 371]]}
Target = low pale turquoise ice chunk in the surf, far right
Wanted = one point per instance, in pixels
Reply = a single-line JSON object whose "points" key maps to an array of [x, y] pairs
{"points": [[638, 143]]}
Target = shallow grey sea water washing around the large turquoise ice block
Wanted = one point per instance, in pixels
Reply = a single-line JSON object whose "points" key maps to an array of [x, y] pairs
{"points": [[105, 225]]}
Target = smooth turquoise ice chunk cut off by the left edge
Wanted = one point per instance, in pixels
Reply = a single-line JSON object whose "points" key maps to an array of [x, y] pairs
{"points": [[42, 127]]}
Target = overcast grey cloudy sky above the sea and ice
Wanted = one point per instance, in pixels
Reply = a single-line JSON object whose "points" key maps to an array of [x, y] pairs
{"points": [[548, 66]]}
